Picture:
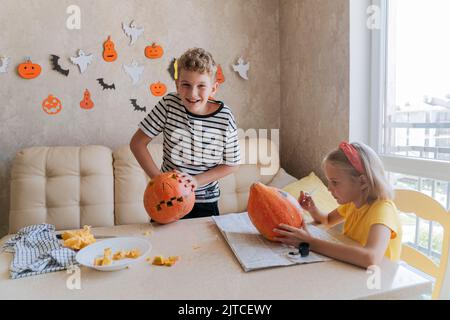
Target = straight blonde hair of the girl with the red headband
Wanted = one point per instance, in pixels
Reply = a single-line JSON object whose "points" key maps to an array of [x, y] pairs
{"points": [[379, 187]]}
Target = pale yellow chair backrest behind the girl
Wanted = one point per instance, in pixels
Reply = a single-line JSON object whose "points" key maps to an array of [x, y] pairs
{"points": [[425, 207]]}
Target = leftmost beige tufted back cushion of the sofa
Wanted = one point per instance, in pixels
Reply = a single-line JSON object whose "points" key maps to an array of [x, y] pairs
{"points": [[65, 186]]}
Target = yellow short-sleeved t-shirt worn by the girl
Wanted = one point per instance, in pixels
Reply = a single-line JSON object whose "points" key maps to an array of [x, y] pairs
{"points": [[359, 220]]}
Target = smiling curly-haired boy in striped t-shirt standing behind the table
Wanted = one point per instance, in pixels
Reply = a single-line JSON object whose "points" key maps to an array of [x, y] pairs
{"points": [[200, 134]]}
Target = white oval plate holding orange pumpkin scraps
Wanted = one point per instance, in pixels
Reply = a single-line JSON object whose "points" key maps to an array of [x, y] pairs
{"points": [[87, 255]]}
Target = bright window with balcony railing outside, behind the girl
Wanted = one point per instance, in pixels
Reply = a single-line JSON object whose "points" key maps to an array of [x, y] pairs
{"points": [[411, 105]]}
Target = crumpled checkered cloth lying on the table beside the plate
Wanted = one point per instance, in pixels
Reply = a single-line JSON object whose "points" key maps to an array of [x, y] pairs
{"points": [[37, 251]]}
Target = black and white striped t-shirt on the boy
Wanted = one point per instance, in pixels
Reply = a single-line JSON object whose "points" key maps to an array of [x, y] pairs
{"points": [[194, 143]]}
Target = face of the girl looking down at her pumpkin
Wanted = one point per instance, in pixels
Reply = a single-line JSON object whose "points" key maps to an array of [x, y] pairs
{"points": [[344, 187]]}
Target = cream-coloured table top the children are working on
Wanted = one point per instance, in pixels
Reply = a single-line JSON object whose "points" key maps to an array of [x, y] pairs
{"points": [[209, 270]]}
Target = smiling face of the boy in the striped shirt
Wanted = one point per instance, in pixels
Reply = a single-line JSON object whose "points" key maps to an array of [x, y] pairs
{"points": [[194, 89]]}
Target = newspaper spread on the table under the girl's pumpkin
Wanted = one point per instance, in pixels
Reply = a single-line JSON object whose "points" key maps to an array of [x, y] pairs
{"points": [[254, 252]]}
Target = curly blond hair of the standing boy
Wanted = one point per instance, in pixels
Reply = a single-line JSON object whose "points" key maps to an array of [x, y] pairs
{"points": [[199, 60]]}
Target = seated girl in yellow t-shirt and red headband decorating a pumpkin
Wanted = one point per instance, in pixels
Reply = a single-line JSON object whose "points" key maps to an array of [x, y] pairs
{"points": [[357, 180]]}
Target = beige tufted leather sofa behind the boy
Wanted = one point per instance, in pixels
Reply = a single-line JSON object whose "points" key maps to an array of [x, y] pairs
{"points": [[92, 185]]}
